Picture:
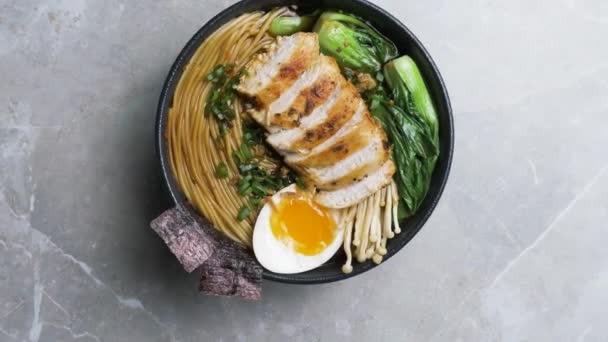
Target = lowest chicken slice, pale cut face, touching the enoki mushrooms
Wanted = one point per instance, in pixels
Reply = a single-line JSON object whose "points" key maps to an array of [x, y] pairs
{"points": [[356, 192]]}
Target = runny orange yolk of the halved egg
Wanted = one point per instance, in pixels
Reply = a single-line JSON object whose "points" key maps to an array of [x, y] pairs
{"points": [[298, 219]]}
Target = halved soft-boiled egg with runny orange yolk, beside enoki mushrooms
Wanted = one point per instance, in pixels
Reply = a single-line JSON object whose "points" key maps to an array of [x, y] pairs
{"points": [[295, 234]]}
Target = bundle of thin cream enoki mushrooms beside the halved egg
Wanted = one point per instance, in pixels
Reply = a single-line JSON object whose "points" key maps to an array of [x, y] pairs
{"points": [[368, 225]]}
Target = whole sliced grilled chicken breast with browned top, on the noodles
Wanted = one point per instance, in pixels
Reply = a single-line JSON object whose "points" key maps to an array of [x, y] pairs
{"points": [[318, 121]]}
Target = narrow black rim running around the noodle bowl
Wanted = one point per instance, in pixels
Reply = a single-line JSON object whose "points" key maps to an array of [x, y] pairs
{"points": [[166, 99]]}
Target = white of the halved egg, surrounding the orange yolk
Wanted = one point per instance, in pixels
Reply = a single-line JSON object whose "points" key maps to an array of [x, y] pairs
{"points": [[275, 256]]}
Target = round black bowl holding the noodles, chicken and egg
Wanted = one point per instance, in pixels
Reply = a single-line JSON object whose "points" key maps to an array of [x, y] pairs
{"points": [[406, 42]]}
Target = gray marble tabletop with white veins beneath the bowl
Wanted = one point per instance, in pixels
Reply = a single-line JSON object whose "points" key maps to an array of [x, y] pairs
{"points": [[516, 250]]}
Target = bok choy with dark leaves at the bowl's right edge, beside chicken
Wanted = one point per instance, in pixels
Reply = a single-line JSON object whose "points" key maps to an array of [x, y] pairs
{"points": [[410, 121]]}
